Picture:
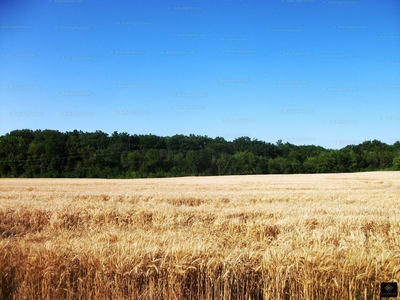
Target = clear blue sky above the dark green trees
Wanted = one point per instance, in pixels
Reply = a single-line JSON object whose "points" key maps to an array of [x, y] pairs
{"points": [[323, 72]]}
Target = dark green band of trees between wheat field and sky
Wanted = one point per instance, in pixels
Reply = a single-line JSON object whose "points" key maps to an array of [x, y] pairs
{"points": [[77, 154]]}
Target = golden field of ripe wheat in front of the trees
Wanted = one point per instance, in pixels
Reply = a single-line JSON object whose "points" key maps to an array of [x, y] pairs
{"points": [[320, 236]]}
